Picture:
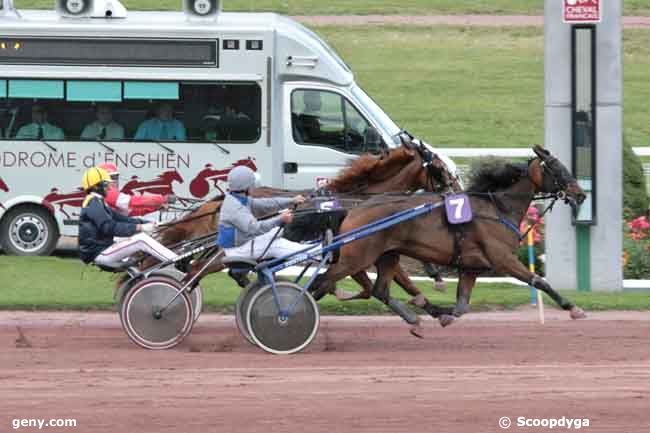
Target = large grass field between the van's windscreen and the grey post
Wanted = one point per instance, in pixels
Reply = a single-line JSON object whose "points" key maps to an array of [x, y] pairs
{"points": [[453, 86]]}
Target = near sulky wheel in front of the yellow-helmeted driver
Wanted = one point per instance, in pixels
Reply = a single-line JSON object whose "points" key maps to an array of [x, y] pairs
{"points": [[148, 317]]}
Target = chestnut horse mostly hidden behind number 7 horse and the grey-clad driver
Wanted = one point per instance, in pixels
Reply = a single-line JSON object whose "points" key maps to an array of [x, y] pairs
{"points": [[407, 168]]}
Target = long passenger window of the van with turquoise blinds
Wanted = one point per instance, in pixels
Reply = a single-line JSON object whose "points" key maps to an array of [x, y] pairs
{"points": [[116, 110]]}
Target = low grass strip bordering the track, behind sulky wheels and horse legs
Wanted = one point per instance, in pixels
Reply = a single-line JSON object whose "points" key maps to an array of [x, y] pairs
{"points": [[51, 283]]}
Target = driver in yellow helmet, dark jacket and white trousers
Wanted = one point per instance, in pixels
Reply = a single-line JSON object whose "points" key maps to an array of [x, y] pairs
{"points": [[98, 225]]}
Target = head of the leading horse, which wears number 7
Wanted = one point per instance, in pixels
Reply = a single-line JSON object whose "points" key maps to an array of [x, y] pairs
{"points": [[551, 176]]}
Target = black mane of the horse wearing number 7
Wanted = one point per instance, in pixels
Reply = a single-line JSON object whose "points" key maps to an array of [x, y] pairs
{"points": [[491, 173]]}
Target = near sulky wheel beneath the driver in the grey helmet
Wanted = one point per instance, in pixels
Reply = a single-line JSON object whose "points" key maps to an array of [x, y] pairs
{"points": [[278, 333]]}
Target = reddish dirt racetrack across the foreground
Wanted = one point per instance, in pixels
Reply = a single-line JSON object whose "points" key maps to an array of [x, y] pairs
{"points": [[360, 375]]}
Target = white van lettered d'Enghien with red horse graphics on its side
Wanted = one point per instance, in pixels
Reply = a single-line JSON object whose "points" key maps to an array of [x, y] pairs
{"points": [[245, 88]]}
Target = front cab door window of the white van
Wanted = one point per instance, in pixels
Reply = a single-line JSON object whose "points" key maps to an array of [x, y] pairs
{"points": [[323, 118]]}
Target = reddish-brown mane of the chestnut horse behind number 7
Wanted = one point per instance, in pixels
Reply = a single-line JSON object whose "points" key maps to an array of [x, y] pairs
{"points": [[368, 168]]}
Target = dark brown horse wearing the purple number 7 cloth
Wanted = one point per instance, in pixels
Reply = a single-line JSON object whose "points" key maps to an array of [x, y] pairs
{"points": [[499, 196]]}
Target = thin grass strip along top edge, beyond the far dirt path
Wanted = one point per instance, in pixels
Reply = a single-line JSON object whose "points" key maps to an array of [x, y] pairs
{"points": [[365, 7]]}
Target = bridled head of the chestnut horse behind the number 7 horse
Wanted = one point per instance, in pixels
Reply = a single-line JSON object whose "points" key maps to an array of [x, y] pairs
{"points": [[434, 175]]}
